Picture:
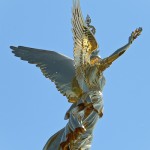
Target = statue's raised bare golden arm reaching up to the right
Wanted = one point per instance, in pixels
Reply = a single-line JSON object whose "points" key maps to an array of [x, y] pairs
{"points": [[108, 60]]}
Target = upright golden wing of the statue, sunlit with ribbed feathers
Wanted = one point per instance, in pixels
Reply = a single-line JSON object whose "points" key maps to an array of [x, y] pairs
{"points": [[84, 42]]}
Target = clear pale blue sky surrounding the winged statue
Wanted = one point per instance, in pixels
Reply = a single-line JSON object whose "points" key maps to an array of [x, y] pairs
{"points": [[31, 109]]}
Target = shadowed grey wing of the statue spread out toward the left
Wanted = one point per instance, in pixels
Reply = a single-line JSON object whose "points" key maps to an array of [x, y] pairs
{"points": [[58, 68]]}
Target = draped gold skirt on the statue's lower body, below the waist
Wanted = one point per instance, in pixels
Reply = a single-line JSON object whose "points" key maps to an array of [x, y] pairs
{"points": [[77, 133]]}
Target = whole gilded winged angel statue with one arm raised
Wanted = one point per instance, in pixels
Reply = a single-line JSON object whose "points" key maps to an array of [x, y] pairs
{"points": [[82, 83]]}
